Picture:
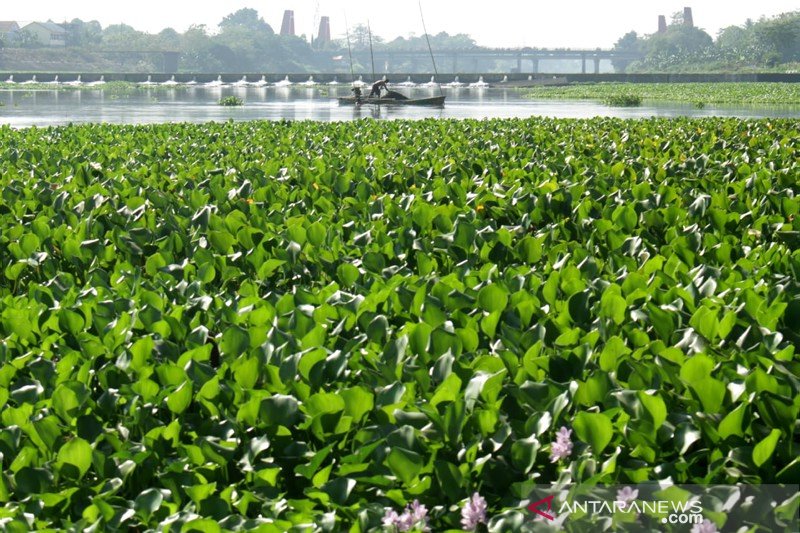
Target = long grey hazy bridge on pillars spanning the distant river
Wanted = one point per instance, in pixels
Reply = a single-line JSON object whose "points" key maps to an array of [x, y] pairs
{"points": [[453, 57]]}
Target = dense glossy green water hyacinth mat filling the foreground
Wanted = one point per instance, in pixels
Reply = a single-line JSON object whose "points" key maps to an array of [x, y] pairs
{"points": [[231, 326]]}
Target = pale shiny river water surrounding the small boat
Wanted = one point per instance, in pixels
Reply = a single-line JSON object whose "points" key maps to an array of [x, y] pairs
{"points": [[199, 103]]}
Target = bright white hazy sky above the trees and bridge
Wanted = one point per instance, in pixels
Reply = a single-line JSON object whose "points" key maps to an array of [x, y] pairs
{"points": [[552, 23]]}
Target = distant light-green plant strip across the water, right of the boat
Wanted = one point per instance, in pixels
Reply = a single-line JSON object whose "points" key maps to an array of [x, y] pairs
{"points": [[696, 93]]}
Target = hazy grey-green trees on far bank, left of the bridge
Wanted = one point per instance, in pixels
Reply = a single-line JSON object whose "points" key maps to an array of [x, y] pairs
{"points": [[242, 42]]}
